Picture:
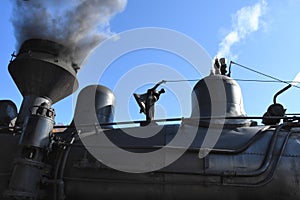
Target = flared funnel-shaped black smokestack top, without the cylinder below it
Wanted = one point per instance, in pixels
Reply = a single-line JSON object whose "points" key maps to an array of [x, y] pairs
{"points": [[44, 73]]}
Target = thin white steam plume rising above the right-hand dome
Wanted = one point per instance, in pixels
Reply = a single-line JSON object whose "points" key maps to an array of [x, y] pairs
{"points": [[244, 21]]}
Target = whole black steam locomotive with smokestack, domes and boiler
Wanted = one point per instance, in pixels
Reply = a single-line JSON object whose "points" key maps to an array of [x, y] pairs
{"points": [[218, 152]]}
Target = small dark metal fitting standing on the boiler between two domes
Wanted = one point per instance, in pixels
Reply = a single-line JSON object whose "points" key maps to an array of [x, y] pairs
{"points": [[147, 101]]}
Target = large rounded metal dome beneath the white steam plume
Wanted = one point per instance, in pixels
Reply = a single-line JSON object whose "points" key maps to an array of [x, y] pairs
{"points": [[218, 96]]}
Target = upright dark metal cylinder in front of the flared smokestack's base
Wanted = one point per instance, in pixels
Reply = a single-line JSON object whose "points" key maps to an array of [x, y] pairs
{"points": [[29, 166]]}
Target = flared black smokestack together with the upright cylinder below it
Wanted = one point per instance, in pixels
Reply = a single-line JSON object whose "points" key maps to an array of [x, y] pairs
{"points": [[44, 73]]}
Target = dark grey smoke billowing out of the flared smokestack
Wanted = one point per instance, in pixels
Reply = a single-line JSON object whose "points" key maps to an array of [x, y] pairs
{"points": [[80, 25]]}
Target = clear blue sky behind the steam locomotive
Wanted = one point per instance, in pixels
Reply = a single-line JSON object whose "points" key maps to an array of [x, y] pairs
{"points": [[272, 48]]}
